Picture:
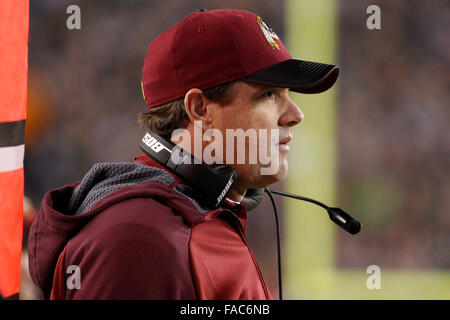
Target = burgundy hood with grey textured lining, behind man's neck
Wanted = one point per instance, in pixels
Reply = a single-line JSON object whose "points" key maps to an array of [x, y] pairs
{"points": [[66, 210]]}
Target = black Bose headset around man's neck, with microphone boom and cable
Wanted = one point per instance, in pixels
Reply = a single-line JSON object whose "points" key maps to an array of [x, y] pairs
{"points": [[213, 183]]}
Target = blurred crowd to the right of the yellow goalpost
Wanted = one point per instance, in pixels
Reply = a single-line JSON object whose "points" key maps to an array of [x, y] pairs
{"points": [[393, 136]]}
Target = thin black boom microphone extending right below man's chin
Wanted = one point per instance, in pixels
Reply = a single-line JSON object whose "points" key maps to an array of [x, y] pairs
{"points": [[337, 215]]}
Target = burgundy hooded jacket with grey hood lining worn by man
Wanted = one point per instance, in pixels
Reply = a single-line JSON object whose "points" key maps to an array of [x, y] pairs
{"points": [[135, 231]]}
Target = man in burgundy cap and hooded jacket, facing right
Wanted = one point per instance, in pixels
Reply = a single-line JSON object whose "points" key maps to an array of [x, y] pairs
{"points": [[142, 230]]}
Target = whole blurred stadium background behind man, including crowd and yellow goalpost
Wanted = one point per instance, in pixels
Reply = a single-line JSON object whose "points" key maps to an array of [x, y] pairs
{"points": [[375, 145]]}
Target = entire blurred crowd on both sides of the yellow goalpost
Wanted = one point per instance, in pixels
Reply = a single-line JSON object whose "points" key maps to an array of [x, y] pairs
{"points": [[393, 114]]}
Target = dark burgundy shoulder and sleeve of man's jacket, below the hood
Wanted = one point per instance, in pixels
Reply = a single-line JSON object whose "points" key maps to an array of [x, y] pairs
{"points": [[134, 249]]}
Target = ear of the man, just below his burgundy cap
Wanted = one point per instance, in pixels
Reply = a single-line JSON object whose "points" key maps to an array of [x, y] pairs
{"points": [[196, 106]]}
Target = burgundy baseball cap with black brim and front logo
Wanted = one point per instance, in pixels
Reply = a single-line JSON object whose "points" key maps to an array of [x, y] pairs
{"points": [[209, 48]]}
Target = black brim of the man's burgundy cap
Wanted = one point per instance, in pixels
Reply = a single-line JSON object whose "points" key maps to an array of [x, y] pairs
{"points": [[297, 75]]}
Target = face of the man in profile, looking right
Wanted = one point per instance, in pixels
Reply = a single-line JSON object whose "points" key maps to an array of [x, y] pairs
{"points": [[260, 111]]}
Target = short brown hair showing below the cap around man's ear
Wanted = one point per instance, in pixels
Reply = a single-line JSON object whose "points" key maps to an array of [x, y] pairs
{"points": [[166, 118]]}
